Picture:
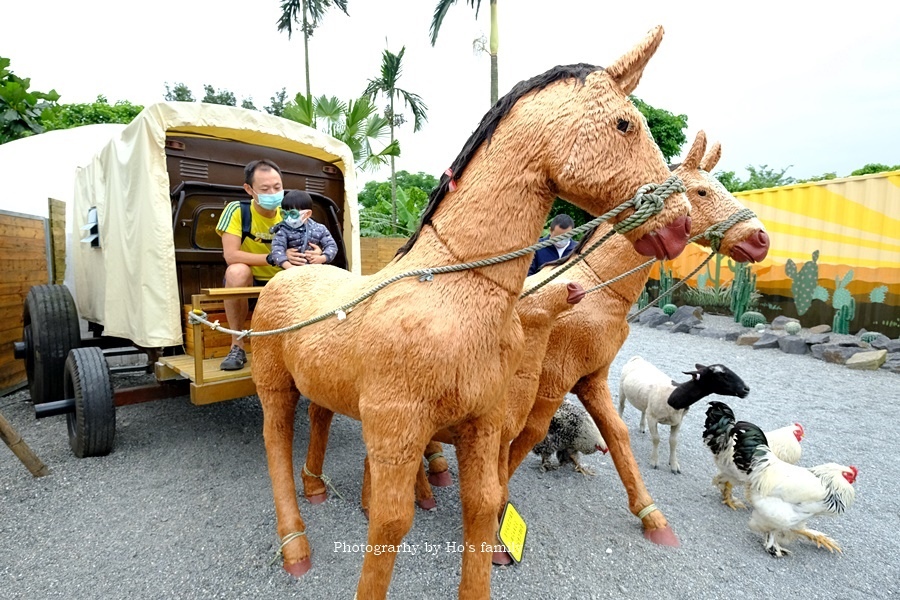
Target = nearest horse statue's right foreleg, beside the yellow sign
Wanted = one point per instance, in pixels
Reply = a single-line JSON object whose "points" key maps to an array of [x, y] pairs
{"points": [[477, 451]]}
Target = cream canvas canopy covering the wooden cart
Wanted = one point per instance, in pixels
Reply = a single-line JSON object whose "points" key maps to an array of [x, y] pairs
{"points": [[125, 271]]}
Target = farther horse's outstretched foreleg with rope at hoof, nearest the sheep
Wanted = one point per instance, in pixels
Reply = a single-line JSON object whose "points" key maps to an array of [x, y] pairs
{"points": [[593, 391]]}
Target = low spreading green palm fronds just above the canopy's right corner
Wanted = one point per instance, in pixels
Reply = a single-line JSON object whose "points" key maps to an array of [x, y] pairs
{"points": [[355, 123]]}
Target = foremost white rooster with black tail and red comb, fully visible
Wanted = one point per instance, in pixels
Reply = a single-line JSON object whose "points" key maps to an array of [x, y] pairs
{"points": [[785, 496]]}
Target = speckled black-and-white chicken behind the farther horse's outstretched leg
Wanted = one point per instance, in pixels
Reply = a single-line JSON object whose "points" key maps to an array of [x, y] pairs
{"points": [[572, 432]]}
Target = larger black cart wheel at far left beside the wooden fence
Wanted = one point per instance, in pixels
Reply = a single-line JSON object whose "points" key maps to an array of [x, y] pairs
{"points": [[50, 331]]}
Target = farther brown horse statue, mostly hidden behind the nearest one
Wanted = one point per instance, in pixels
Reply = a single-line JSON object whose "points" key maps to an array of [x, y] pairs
{"points": [[565, 350]]}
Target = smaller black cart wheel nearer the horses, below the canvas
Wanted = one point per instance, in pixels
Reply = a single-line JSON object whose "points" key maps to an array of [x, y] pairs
{"points": [[92, 427]]}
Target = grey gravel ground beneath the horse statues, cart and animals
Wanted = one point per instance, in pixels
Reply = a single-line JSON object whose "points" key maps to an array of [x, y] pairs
{"points": [[183, 507]]}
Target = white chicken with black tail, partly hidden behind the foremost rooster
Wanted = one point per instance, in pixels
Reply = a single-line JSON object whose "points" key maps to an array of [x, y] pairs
{"points": [[784, 442]]}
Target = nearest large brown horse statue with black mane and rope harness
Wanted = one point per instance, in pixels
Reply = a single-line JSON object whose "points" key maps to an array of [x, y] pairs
{"points": [[420, 357]]}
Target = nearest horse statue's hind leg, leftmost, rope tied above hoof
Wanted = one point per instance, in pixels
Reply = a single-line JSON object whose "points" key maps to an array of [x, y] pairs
{"points": [[279, 409]]}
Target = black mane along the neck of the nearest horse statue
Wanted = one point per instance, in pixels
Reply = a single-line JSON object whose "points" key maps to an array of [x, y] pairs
{"points": [[486, 129]]}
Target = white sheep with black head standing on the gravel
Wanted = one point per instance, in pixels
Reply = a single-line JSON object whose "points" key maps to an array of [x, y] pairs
{"points": [[662, 400]]}
